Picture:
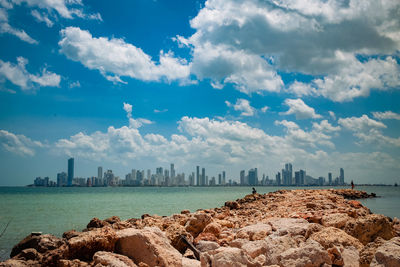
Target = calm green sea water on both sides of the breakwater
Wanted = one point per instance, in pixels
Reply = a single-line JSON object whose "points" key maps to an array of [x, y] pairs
{"points": [[56, 210]]}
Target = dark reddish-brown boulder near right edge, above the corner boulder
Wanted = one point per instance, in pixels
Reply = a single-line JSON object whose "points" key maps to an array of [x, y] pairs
{"points": [[369, 227]]}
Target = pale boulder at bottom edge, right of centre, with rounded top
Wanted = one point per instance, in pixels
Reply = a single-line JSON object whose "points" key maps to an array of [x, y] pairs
{"points": [[310, 254]]}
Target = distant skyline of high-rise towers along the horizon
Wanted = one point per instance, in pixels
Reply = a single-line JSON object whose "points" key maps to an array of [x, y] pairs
{"points": [[165, 177]]}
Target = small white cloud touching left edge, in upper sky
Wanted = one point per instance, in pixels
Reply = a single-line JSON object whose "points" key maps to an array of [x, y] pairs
{"points": [[18, 75]]}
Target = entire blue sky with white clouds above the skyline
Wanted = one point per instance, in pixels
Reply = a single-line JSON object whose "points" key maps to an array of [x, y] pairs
{"points": [[224, 84]]}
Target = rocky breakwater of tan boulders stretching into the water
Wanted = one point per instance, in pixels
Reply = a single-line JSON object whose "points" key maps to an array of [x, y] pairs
{"points": [[284, 228]]}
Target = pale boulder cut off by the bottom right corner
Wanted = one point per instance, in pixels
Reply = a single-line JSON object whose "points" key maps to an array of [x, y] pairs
{"points": [[388, 254]]}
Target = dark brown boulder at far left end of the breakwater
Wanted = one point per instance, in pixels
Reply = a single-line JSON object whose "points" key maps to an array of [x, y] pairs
{"points": [[41, 243]]}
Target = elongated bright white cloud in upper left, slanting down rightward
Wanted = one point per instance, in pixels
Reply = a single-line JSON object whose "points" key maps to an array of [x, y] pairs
{"points": [[114, 58]]}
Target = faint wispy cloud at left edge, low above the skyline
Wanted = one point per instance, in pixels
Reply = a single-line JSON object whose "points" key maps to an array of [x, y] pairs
{"points": [[18, 144]]}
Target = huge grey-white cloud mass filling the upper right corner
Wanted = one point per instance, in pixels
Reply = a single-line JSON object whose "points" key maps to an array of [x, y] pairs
{"points": [[247, 43]]}
